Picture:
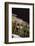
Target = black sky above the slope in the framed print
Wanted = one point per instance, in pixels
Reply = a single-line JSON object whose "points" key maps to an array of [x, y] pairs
{"points": [[22, 13]]}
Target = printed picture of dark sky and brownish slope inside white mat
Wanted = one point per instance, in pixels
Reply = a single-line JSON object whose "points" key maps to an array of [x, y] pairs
{"points": [[20, 22]]}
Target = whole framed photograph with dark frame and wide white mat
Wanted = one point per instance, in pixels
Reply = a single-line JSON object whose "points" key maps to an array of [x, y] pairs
{"points": [[19, 22]]}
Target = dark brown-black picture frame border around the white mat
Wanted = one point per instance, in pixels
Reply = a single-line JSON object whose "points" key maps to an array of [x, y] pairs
{"points": [[6, 22]]}
